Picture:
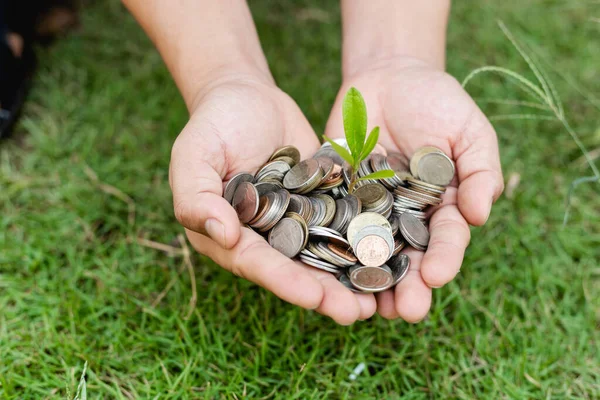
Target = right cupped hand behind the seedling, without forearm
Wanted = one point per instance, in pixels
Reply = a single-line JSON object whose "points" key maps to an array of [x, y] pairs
{"points": [[417, 105]]}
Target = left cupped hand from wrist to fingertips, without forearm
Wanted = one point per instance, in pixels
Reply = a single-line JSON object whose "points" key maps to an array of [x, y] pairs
{"points": [[235, 126]]}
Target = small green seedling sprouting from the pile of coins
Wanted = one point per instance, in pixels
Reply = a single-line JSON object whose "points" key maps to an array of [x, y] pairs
{"points": [[354, 112]]}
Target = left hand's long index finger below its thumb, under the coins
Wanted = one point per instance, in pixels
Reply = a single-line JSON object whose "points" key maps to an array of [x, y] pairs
{"points": [[253, 259]]}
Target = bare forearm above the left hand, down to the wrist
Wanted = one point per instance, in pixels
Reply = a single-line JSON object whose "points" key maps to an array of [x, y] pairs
{"points": [[202, 41]]}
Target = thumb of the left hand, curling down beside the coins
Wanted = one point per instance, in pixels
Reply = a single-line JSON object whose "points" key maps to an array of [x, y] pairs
{"points": [[195, 177]]}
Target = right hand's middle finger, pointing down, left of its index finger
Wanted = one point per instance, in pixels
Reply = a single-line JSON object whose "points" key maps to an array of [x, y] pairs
{"points": [[412, 295]]}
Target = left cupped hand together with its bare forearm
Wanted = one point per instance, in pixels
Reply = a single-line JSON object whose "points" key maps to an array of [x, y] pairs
{"points": [[238, 117]]}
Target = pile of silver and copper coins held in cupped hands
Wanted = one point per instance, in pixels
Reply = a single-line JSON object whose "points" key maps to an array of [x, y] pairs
{"points": [[304, 209]]}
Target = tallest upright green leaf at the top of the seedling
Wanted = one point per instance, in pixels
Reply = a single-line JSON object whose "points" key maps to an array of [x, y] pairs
{"points": [[354, 111]]}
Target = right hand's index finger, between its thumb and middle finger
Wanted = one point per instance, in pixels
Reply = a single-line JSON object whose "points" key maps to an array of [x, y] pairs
{"points": [[450, 236]]}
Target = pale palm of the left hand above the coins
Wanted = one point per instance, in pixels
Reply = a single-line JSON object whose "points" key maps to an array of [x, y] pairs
{"points": [[241, 125]]}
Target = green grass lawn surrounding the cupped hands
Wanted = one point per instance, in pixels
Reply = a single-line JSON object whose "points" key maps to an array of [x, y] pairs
{"points": [[84, 180]]}
